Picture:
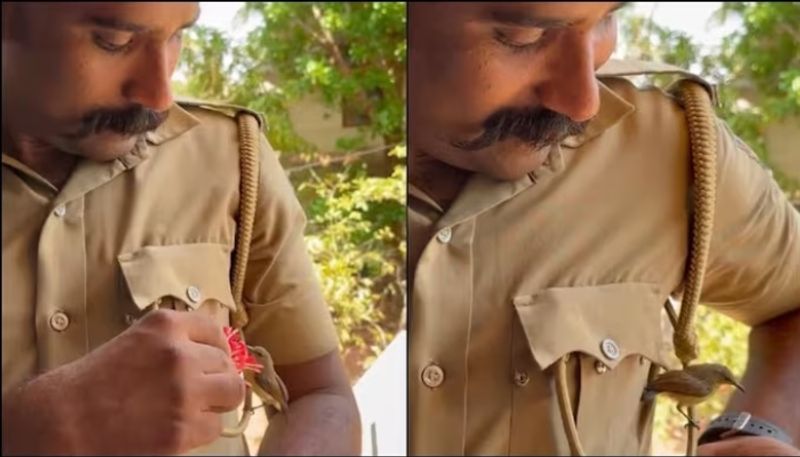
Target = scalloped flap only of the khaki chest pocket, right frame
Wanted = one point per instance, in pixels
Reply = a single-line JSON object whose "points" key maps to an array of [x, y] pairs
{"points": [[608, 322]]}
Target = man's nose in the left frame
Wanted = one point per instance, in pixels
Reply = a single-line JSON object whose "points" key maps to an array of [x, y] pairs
{"points": [[150, 85]]}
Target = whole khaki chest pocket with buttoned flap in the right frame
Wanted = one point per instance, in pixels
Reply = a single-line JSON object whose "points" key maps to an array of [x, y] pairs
{"points": [[613, 336]]}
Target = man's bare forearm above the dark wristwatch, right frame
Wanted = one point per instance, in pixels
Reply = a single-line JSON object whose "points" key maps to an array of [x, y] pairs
{"points": [[772, 378]]}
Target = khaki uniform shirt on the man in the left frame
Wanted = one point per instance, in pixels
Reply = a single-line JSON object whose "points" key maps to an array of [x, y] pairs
{"points": [[156, 226]]}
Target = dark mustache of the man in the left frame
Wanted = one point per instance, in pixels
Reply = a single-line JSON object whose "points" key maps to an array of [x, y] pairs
{"points": [[134, 120]]}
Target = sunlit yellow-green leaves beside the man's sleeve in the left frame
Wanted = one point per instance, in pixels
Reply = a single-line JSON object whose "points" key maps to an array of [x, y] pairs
{"points": [[357, 239]]}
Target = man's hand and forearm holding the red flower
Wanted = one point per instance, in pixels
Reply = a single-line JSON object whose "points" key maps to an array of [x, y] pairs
{"points": [[156, 388]]}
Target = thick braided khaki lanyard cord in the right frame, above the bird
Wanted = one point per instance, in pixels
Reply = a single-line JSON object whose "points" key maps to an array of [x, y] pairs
{"points": [[702, 137]]}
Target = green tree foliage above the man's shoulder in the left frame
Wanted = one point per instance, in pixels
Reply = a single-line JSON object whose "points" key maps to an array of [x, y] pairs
{"points": [[351, 54]]}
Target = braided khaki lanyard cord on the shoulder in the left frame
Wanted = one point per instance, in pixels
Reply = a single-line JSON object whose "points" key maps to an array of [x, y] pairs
{"points": [[248, 190]]}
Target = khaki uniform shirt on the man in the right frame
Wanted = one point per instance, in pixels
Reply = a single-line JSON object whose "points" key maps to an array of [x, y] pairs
{"points": [[587, 249]]}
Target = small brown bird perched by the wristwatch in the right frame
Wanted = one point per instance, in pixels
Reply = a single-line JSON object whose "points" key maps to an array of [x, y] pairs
{"points": [[690, 386]]}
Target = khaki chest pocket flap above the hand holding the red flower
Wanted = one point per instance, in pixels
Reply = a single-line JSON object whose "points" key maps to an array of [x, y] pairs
{"points": [[186, 277]]}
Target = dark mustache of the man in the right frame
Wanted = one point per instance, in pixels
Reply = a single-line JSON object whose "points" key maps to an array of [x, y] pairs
{"points": [[538, 127]]}
